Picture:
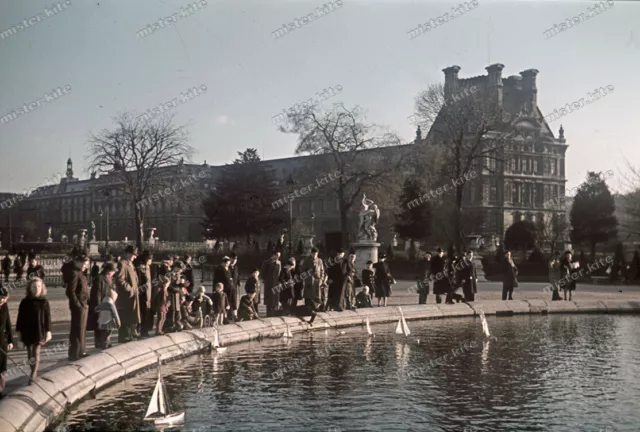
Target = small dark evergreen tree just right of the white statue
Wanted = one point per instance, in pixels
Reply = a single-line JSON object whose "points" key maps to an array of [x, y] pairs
{"points": [[413, 221]]}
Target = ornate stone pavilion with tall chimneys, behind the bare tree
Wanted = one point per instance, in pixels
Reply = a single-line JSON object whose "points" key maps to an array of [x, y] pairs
{"points": [[528, 181]]}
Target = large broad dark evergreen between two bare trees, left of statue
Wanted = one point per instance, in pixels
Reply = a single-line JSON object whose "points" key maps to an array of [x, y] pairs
{"points": [[242, 203]]}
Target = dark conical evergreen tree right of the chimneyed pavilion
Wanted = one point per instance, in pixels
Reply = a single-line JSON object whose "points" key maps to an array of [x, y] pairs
{"points": [[592, 213]]}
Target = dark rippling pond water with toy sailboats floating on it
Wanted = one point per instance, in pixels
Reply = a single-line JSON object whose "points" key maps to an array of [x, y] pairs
{"points": [[544, 373]]}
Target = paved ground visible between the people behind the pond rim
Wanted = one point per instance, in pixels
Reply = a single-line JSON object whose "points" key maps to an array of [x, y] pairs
{"points": [[55, 352]]}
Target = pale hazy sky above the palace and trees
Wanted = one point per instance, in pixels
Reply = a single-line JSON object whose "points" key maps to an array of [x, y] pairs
{"points": [[91, 51]]}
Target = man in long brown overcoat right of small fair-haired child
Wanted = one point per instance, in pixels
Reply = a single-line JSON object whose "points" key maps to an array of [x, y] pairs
{"points": [[128, 302]]}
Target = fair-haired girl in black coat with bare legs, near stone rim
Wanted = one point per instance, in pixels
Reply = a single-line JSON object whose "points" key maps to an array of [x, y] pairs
{"points": [[34, 323]]}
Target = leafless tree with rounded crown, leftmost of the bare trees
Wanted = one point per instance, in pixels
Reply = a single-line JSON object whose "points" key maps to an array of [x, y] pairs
{"points": [[135, 152]]}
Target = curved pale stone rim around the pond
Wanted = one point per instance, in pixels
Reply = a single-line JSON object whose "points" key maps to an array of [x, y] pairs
{"points": [[35, 407]]}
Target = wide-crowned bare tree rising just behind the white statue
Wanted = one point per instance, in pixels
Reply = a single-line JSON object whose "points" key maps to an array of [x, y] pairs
{"points": [[351, 148]]}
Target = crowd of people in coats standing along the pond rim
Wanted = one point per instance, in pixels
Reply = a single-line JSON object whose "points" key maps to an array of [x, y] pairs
{"points": [[122, 295]]}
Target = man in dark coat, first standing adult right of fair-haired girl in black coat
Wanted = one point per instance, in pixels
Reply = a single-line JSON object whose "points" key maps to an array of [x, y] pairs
{"points": [[78, 294]]}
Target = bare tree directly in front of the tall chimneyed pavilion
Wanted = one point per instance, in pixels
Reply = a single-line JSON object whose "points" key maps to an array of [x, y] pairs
{"points": [[471, 132]]}
